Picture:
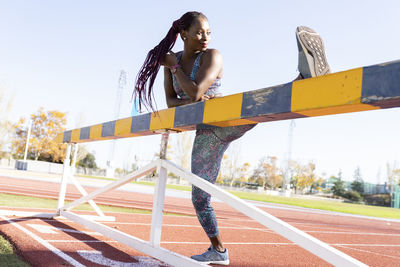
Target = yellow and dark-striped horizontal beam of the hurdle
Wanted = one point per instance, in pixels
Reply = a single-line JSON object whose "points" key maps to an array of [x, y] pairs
{"points": [[361, 89]]}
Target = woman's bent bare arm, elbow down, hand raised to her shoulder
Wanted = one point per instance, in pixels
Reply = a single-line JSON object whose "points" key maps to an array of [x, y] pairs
{"points": [[209, 70]]}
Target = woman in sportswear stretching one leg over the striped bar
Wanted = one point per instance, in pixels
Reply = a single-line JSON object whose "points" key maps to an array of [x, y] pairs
{"points": [[191, 75]]}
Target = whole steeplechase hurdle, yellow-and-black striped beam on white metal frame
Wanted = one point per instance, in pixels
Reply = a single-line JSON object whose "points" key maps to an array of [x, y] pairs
{"points": [[361, 89]]}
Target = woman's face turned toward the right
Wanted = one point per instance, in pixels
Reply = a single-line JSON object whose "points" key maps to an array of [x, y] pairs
{"points": [[198, 35]]}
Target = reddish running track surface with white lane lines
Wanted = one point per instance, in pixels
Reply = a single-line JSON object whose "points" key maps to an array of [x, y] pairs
{"points": [[374, 242]]}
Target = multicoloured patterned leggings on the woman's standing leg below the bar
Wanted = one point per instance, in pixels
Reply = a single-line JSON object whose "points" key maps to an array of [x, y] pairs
{"points": [[208, 149]]}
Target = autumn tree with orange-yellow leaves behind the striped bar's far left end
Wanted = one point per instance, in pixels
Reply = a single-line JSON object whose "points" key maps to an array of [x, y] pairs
{"points": [[42, 144]]}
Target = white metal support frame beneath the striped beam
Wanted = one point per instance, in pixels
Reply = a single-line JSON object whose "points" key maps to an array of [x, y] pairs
{"points": [[153, 248]]}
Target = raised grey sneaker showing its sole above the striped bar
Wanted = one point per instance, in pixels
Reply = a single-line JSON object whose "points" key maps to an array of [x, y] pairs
{"points": [[312, 58]]}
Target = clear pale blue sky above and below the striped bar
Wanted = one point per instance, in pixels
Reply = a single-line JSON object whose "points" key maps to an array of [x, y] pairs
{"points": [[67, 55]]}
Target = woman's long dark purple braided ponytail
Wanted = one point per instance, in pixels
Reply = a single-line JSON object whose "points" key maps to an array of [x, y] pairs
{"points": [[145, 79]]}
